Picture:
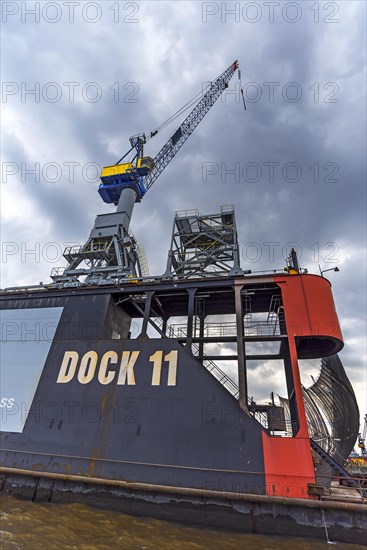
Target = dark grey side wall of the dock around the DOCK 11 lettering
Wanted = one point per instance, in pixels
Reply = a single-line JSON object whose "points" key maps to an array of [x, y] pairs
{"points": [[189, 435]]}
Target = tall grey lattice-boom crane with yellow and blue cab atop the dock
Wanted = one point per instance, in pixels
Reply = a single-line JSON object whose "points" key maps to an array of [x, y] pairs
{"points": [[111, 253]]}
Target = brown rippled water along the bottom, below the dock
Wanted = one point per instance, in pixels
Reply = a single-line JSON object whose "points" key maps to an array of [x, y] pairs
{"points": [[34, 526]]}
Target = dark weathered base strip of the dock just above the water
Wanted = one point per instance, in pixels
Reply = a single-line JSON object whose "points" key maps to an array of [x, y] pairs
{"points": [[236, 512]]}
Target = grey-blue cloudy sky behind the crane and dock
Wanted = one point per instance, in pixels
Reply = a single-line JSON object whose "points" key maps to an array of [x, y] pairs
{"points": [[79, 78]]}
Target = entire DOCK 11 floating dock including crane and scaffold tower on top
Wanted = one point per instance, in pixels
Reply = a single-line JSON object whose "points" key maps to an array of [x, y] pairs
{"points": [[113, 389]]}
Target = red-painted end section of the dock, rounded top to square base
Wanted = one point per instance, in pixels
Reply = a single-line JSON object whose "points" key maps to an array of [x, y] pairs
{"points": [[309, 313]]}
